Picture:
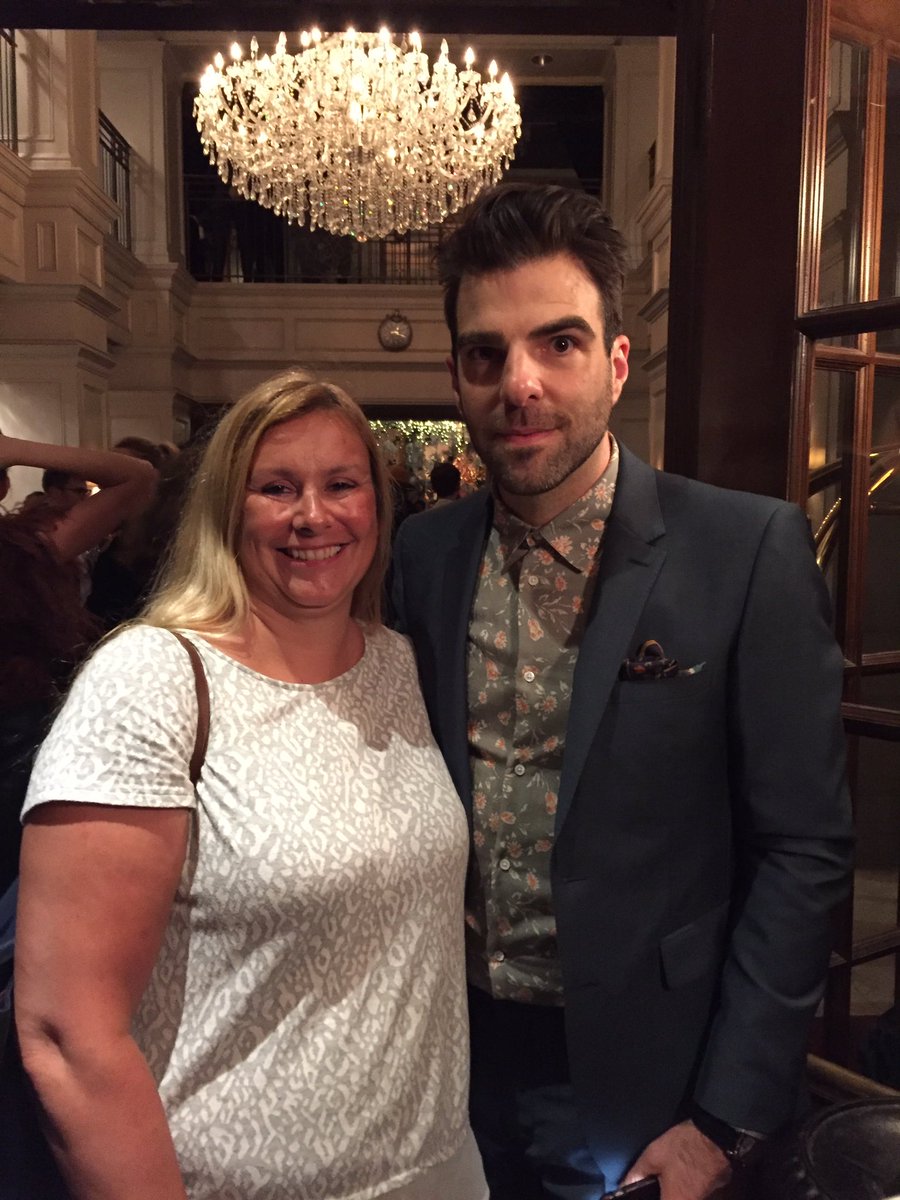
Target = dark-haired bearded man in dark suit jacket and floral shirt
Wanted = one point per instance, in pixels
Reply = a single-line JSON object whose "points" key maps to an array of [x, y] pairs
{"points": [[634, 683]]}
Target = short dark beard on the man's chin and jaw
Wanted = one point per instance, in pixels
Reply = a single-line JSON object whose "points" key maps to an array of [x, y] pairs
{"points": [[521, 471]]}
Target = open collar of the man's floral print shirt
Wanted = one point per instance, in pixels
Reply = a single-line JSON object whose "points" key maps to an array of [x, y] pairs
{"points": [[574, 536]]}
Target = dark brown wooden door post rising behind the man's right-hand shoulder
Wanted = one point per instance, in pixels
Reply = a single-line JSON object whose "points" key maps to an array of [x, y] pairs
{"points": [[735, 236]]}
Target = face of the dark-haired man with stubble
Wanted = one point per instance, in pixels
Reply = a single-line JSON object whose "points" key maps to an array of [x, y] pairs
{"points": [[535, 382]]}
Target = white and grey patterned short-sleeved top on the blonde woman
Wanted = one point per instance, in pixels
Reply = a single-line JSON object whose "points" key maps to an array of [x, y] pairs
{"points": [[307, 1018]]}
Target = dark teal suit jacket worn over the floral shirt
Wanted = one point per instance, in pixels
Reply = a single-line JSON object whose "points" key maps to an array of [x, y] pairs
{"points": [[704, 829]]}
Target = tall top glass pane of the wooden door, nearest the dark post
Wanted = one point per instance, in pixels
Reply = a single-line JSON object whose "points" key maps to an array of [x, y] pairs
{"points": [[843, 205]]}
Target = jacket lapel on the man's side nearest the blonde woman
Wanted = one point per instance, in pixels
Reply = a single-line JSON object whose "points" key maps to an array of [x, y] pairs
{"points": [[461, 568]]}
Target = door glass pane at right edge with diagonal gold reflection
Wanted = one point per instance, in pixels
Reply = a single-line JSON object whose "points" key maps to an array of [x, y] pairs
{"points": [[881, 613]]}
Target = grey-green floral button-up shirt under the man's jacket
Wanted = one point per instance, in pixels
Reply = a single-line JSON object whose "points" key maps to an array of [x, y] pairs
{"points": [[533, 593]]}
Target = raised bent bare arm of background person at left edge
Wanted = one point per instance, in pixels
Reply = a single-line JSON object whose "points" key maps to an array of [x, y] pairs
{"points": [[127, 488]]}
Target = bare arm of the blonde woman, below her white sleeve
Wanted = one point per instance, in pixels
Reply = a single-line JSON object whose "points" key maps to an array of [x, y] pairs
{"points": [[95, 895]]}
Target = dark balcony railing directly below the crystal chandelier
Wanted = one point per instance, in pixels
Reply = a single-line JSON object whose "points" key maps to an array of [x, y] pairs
{"points": [[233, 241]]}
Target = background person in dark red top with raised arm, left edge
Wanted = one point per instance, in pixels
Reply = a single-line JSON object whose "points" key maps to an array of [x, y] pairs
{"points": [[45, 631]]}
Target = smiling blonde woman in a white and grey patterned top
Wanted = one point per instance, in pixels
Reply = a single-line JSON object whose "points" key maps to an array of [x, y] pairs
{"points": [[256, 989]]}
